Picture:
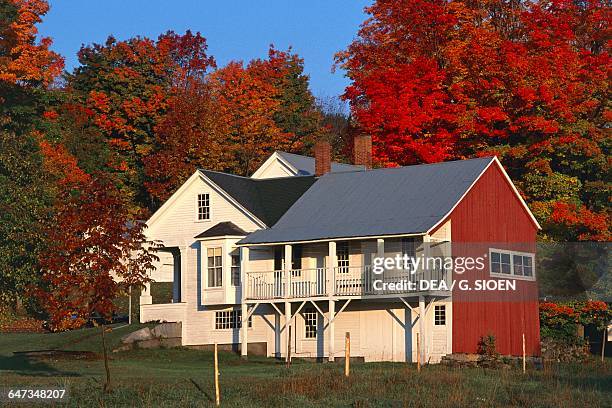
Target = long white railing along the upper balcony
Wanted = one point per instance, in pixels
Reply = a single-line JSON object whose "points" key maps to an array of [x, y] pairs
{"points": [[340, 281]]}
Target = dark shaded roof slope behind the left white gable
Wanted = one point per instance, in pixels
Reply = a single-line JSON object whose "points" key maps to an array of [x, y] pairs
{"points": [[267, 199]]}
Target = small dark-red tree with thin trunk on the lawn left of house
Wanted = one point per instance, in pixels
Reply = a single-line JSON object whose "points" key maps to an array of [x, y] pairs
{"points": [[96, 250]]}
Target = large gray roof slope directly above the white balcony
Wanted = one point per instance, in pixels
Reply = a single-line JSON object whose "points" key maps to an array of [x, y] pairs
{"points": [[391, 201]]}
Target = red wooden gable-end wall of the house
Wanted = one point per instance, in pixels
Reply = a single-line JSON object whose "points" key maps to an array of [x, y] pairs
{"points": [[491, 215]]}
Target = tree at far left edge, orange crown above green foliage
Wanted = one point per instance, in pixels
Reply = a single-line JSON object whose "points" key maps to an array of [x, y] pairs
{"points": [[27, 69]]}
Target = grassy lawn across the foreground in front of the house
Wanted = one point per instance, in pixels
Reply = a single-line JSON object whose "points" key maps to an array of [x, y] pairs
{"points": [[184, 377]]}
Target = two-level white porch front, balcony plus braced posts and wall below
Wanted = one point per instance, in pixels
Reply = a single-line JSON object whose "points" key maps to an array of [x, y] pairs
{"points": [[337, 282]]}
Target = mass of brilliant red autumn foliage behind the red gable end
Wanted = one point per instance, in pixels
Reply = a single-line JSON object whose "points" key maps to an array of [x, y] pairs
{"points": [[435, 80]]}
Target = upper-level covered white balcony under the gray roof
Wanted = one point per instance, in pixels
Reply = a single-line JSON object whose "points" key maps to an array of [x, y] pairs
{"points": [[345, 269]]}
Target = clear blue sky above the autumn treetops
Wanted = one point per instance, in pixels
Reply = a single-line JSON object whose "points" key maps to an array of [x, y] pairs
{"points": [[235, 30]]}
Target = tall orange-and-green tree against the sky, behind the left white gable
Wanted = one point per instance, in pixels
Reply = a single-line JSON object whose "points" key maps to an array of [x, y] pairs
{"points": [[127, 85]]}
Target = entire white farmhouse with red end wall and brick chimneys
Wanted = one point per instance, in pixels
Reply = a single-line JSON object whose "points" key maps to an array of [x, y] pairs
{"points": [[283, 260]]}
